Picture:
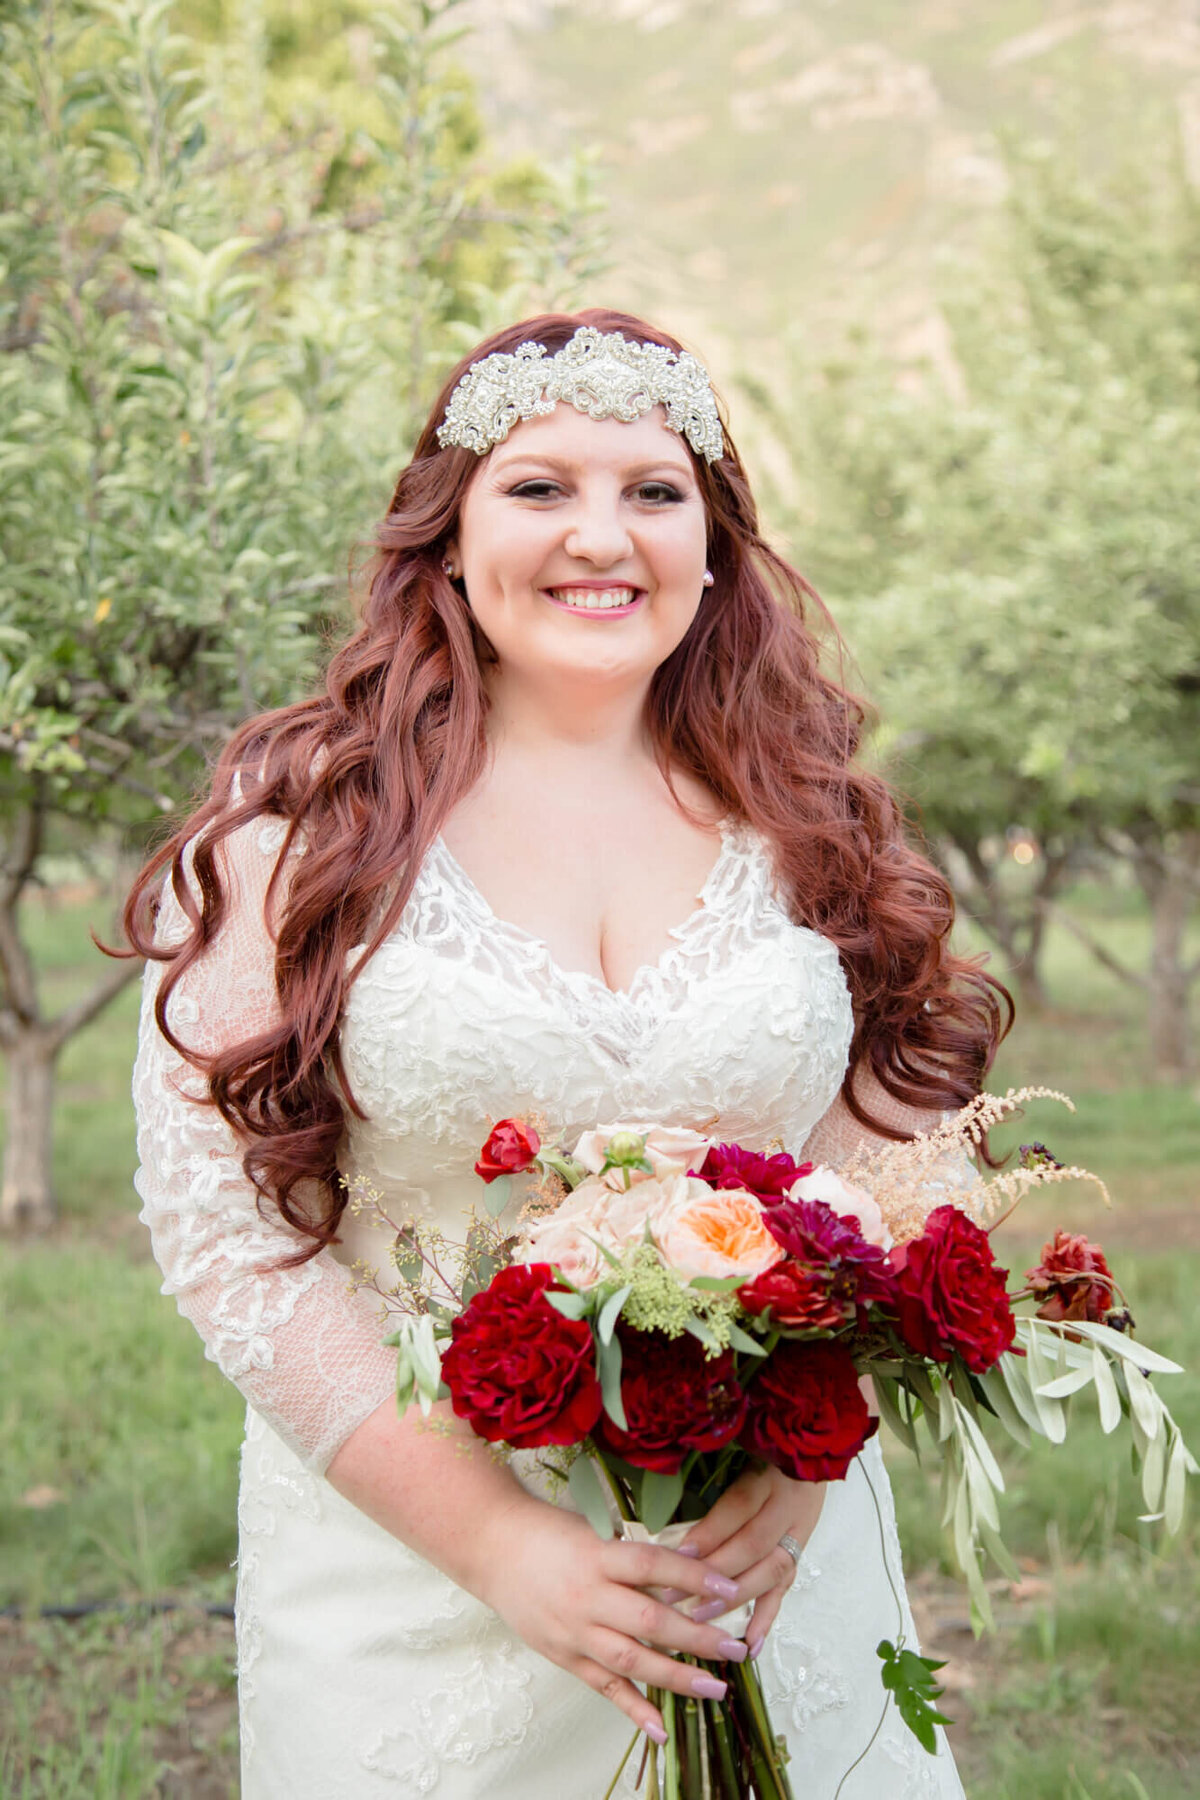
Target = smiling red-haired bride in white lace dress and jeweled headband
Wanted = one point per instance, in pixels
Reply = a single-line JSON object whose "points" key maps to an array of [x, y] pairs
{"points": [[573, 827]]}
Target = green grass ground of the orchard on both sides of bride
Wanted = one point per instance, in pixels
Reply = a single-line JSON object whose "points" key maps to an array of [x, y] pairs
{"points": [[120, 1444]]}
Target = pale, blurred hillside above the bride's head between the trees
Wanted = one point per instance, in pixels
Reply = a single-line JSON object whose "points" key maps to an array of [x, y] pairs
{"points": [[778, 157]]}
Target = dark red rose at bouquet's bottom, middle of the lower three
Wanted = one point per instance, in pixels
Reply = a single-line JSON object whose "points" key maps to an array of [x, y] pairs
{"points": [[676, 1401]]}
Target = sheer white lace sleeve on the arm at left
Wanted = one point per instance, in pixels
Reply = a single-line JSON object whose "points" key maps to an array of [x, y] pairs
{"points": [[303, 1349]]}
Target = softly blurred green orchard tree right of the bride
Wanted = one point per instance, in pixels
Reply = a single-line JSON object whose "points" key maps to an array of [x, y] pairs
{"points": [[1016, 555]]}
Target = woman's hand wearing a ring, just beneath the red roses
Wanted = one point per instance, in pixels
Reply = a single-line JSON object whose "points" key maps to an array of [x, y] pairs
{"points": [[740, 1538]]}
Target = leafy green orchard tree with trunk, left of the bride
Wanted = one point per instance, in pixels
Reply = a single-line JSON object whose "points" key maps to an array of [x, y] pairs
{"points": [[213, 357]]}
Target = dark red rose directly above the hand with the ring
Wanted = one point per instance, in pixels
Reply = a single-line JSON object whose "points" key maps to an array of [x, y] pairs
{"points": [[807, 1414]]}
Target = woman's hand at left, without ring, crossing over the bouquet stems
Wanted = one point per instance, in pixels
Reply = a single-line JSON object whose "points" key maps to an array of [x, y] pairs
{"points": [[584, 1605]]}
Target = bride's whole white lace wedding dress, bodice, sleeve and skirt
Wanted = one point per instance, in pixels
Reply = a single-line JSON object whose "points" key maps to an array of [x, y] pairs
{"points": [[364, 1673]]}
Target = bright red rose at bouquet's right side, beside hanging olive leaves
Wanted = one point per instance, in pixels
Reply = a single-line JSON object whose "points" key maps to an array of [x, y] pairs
{"points": [[951, 1293]]}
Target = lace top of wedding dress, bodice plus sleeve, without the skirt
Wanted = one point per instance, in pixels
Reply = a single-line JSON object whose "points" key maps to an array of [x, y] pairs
{"points": [[456, 1021]]}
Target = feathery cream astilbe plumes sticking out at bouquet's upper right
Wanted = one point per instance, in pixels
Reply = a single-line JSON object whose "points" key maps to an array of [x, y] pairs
{"points": [[938, 1167]]}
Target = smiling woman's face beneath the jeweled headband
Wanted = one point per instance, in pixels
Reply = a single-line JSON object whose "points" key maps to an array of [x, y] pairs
{"points": [[582, 546]]}
